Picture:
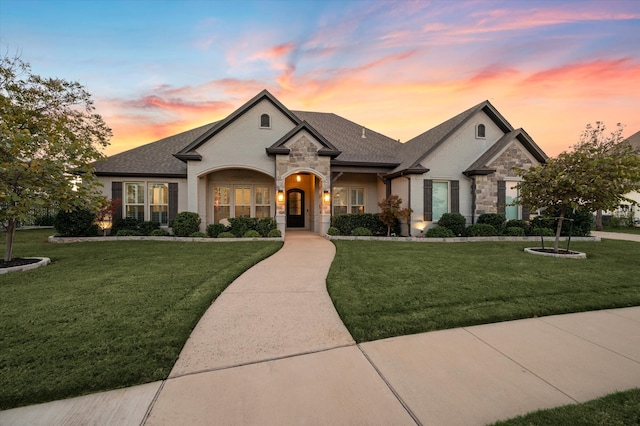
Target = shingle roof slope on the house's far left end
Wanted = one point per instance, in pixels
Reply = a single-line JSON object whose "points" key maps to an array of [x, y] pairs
{"points": [[152, 159]]}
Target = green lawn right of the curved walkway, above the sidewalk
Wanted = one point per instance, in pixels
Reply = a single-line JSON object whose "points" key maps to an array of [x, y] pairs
{"points": [[383, 289]]}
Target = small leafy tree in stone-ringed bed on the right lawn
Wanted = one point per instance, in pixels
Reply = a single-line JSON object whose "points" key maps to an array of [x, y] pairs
{"points": [[600, 170]]}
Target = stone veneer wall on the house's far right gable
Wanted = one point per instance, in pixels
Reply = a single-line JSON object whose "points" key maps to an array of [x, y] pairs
{"points": [[487, 186]]}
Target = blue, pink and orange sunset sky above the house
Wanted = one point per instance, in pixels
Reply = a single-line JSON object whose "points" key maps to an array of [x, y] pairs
{"points": [[156, 68]]}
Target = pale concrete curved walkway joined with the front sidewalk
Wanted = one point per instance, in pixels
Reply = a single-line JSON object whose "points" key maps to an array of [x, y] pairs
{"points": [[271, 350]]}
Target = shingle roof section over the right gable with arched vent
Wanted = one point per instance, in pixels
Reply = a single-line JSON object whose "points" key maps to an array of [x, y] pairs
{"points": [[418, 148]]}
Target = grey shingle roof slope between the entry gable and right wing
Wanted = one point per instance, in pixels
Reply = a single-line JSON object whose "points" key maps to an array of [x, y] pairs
{"points": [[346, 136]]}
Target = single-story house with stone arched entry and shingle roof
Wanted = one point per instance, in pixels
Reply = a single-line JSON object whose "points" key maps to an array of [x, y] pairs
{"points": [[301, 168]]}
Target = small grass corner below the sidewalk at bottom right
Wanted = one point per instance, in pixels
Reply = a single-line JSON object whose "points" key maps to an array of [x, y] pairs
{"points": [[618, 409]]}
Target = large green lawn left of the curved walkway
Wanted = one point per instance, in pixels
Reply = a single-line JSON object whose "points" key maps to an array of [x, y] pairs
{"points": [[106, 315]]}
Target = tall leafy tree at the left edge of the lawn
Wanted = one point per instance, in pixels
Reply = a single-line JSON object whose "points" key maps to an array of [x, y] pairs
{"points": [[49, 139]]}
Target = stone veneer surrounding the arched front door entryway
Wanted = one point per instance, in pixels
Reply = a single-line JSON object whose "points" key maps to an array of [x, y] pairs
{"points": [[303, 156]]}
